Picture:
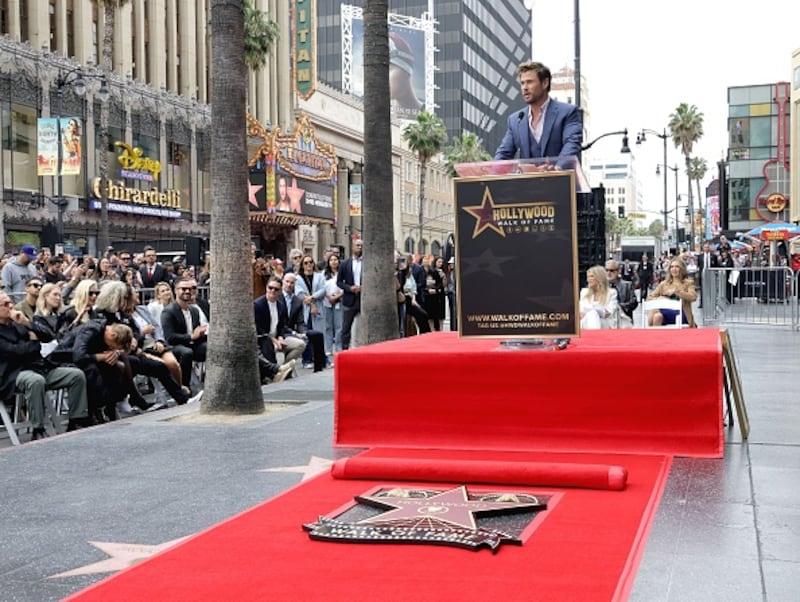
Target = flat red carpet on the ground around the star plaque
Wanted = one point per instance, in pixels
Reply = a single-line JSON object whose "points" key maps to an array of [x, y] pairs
{"points": [[587, 547]]}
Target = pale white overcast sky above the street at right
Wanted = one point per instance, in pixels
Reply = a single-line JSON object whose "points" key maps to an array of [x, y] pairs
{"points": [[642, 58]]}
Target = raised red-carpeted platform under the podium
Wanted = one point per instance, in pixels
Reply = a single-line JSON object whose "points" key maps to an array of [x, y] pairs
{"points": [[631, 391]]}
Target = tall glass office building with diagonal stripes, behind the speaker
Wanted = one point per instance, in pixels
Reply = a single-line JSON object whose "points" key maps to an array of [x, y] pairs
{"points": [[478, 43]]}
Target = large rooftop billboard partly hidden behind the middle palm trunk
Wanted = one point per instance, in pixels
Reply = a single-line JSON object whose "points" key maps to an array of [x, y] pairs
{"points": [[410, 61]]}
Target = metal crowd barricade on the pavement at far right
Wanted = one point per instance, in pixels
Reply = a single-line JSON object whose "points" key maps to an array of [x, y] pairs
{"points": [[755, 295]]}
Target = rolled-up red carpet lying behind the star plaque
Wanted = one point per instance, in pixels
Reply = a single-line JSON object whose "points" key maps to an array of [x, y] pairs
{"points": [[552, 474]]}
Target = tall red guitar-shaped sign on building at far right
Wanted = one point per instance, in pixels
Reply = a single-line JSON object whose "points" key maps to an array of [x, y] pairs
{"points": [[773, 198]]}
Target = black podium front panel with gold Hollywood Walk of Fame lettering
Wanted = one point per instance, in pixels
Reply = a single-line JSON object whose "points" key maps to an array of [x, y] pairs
{"points": [[517, 269]]}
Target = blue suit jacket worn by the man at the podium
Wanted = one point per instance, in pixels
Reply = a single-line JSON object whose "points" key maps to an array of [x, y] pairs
{"points": [[562, 133]]}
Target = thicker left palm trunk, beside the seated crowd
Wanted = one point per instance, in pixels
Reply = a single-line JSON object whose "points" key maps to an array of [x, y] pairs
{"points": [[232, 377]]}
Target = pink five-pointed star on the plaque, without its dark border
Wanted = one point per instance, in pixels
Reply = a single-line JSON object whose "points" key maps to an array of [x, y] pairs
{"points": [[452, 507]]}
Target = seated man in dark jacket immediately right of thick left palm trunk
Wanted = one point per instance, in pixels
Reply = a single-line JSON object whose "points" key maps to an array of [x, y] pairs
{"points": [[272, 318]]}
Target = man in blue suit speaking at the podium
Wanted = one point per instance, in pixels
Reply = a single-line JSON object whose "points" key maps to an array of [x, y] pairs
{"points": [[545, 127]]}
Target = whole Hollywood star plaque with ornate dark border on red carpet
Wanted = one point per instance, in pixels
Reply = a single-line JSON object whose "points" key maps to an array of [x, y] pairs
{"points": [[452, 517]]}
